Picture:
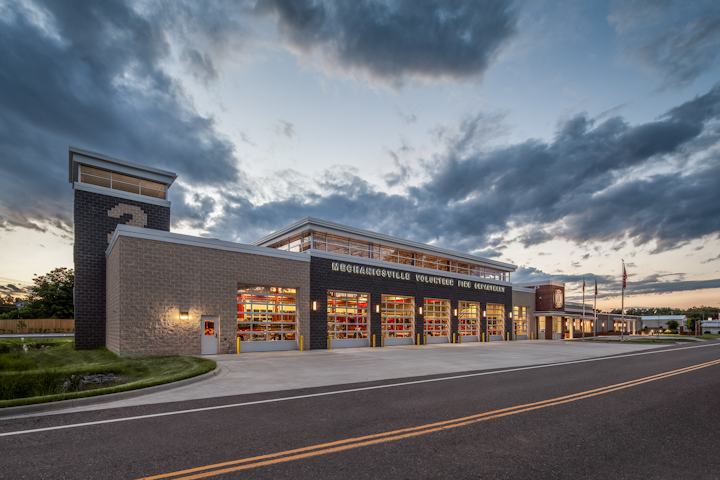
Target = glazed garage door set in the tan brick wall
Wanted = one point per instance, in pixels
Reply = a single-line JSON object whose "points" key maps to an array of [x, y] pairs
{"points": [[266, 313]]}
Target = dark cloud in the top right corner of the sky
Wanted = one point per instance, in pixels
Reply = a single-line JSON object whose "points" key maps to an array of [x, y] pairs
{"points": [[676, 39]]}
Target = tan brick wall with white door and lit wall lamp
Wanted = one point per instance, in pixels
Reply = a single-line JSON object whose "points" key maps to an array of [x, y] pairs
{"points": [[156, 278]]}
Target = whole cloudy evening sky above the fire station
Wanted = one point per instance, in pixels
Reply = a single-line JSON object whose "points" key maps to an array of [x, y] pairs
{"points": [[560, 136]]}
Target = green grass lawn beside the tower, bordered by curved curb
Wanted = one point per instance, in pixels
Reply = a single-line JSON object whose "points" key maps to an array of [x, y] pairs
{"points": [[48, 370]]}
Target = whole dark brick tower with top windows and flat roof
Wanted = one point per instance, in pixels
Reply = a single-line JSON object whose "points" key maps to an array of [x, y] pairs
{"points": [[108, 192]]}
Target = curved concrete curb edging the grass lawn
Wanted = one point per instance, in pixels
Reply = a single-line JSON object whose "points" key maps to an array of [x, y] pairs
{"points": [[109, 397]]}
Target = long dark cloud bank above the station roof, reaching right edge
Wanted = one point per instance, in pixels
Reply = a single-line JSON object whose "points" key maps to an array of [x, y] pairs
{"points": [[593, 182]]}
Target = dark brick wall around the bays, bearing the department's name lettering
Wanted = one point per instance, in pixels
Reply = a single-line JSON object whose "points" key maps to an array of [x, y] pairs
{"points": [[323, 278]]}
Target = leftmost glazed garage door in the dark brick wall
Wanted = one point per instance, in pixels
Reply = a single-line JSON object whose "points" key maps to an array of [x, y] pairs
{"points": [[347, 315]]}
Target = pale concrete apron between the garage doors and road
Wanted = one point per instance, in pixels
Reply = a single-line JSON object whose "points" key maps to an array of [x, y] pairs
{"points": [[277, 371]]}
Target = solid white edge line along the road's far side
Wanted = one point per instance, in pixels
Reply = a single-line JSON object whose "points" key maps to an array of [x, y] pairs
{"points": [[299, 397]]}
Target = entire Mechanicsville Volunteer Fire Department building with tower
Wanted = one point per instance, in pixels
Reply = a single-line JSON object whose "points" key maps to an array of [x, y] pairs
{"points": [[143, 290]]}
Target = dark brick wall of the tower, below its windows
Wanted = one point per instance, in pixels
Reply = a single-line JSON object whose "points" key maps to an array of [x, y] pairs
{"points": [[95, 217]]}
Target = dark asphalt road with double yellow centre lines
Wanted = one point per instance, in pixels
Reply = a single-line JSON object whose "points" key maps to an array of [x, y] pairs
{"points": [[641, 416]]}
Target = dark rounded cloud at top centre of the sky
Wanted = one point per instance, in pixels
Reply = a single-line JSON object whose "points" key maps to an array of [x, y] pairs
{"points": [[395, 40]]}
